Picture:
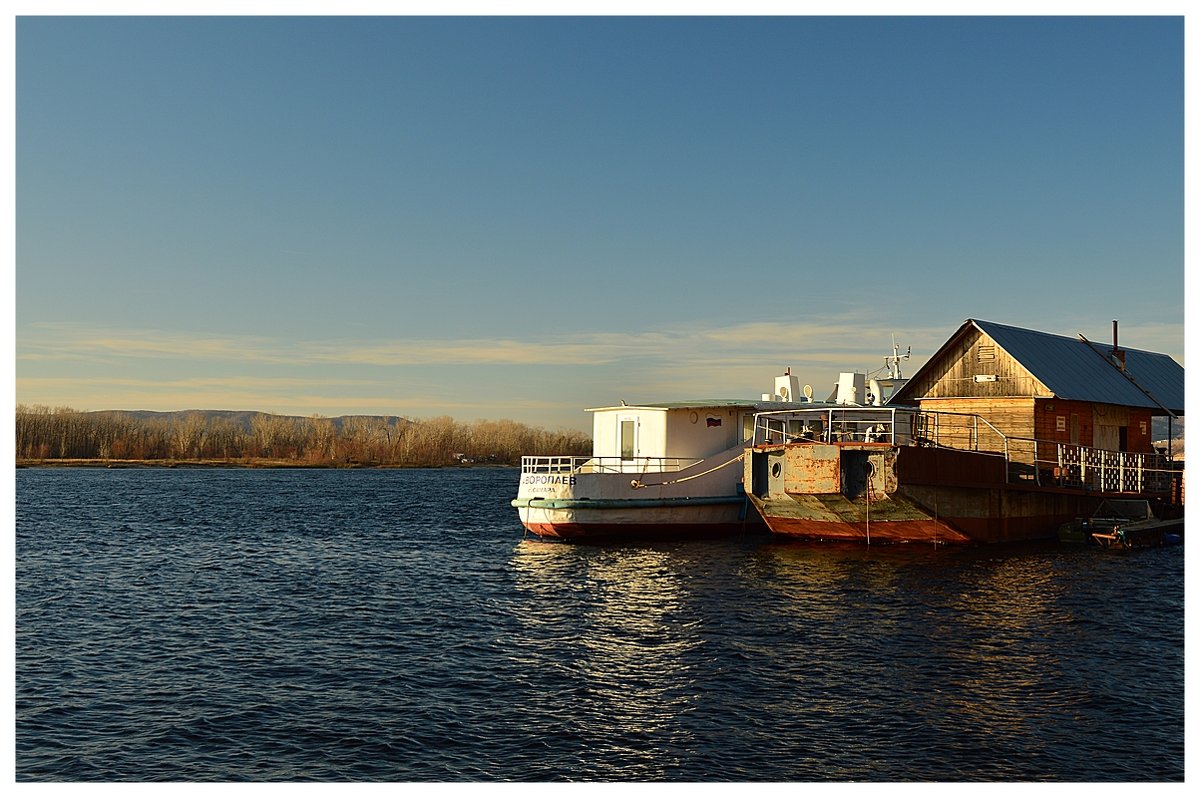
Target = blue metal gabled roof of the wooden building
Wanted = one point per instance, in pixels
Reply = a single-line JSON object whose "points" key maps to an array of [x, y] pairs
{"points": [[1077, 370]]}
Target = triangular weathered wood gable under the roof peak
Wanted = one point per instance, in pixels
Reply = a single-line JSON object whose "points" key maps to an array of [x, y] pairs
{"points": [[979, 369]]}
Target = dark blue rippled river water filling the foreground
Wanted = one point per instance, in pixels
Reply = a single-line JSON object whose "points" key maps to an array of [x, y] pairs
{"points": [[394, 626]]}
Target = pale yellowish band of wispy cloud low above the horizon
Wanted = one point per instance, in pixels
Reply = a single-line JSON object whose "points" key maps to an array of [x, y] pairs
{"points": [[159, 370]]}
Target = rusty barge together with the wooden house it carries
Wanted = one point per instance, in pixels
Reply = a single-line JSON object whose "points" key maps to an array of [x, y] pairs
{"points": [[1004, 436]]}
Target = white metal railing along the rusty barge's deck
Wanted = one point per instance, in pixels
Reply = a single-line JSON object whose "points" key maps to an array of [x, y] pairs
{"points": [[1028, 460]]}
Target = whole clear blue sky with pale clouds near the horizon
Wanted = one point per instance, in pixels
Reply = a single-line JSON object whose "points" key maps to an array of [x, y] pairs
{"points": [[521, 218]]}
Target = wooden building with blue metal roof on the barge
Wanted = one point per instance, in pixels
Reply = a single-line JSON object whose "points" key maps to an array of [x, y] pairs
{"points": [[1039, 391]]}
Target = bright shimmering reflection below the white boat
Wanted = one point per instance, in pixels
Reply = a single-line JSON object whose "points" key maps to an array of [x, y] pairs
{"points": [[625, 656]]}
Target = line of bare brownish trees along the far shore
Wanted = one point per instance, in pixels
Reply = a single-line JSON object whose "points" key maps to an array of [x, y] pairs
{"points": [[64, 434]]}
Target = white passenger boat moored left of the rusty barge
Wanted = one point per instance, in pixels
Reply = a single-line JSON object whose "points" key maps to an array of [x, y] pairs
{"points": [[668, 470]]}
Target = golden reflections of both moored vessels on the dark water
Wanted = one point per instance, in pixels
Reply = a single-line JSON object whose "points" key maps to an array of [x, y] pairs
{"points": [[835, 659]]}
